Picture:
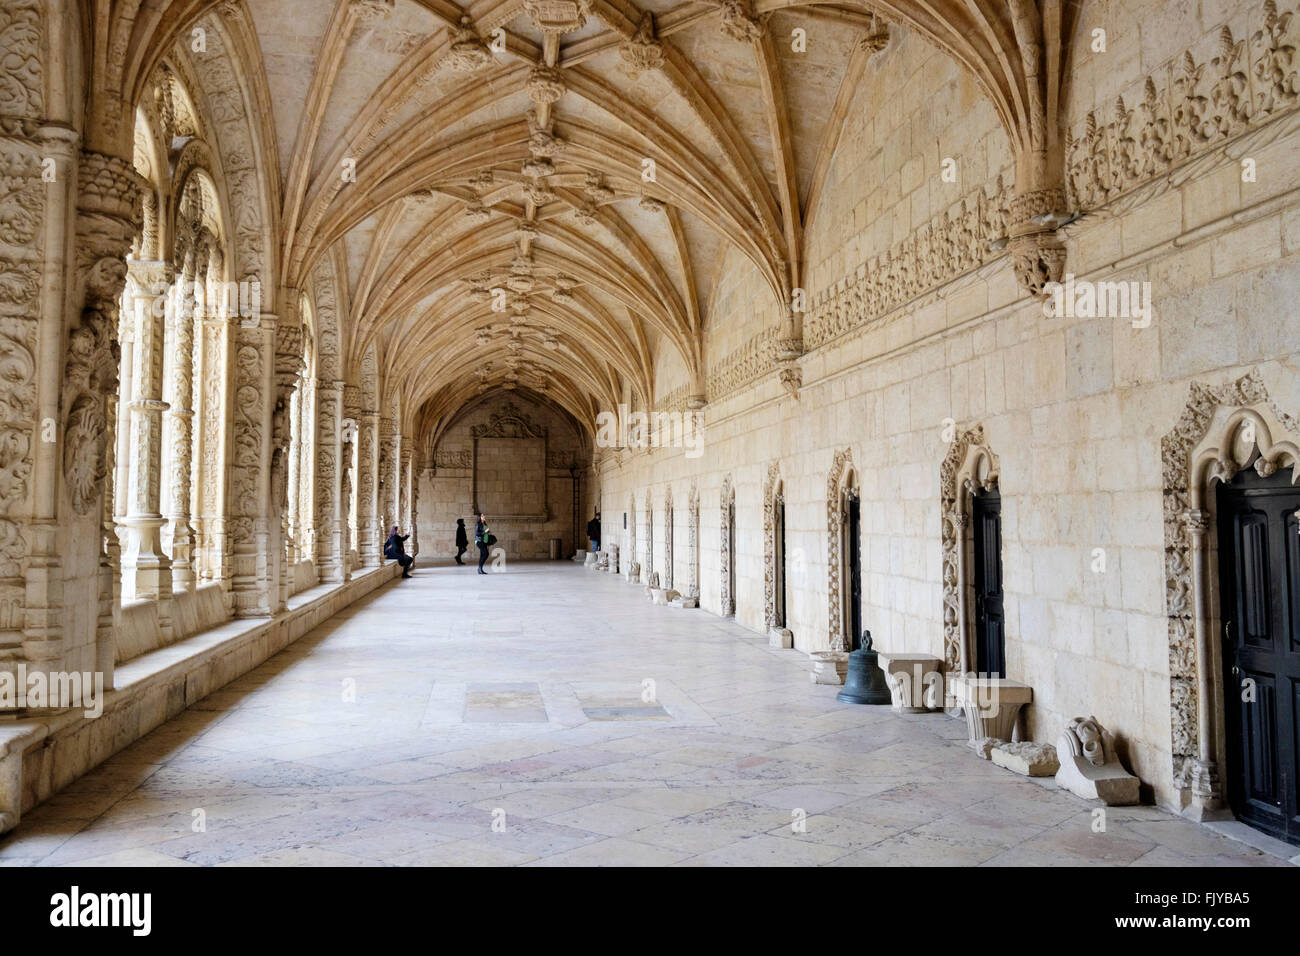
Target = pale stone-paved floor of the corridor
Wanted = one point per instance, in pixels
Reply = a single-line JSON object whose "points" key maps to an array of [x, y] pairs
{"points": [[512, 720]]}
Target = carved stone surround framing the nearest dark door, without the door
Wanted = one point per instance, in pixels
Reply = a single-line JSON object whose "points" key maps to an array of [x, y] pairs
{"points": [[1221, 431]]}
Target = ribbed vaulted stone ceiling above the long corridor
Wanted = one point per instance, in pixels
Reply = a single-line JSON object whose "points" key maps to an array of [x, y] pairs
{"points": [[538, 193]]}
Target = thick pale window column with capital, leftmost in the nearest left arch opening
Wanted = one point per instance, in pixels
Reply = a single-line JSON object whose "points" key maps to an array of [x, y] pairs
{"points": [[146, 568]]}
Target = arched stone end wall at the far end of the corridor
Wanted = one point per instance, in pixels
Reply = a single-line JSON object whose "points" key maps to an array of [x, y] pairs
{"points": [[447, 490]]}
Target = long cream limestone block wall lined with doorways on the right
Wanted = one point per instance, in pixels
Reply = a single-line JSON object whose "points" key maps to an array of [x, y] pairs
{"points": [[1073, 408]]}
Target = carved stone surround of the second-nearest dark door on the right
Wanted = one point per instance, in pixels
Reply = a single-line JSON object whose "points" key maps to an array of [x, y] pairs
{"points": [[969, 465]]}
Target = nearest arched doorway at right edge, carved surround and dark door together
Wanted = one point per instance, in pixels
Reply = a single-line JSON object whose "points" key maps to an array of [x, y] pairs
{"points": [[1233, 579]]}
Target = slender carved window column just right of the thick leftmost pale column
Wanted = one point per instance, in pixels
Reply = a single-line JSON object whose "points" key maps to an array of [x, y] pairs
{"points": [[181, 421]]}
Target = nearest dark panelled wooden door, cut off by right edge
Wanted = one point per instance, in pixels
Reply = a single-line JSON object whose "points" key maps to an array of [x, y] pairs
{"points": [[1259, 547]]}
